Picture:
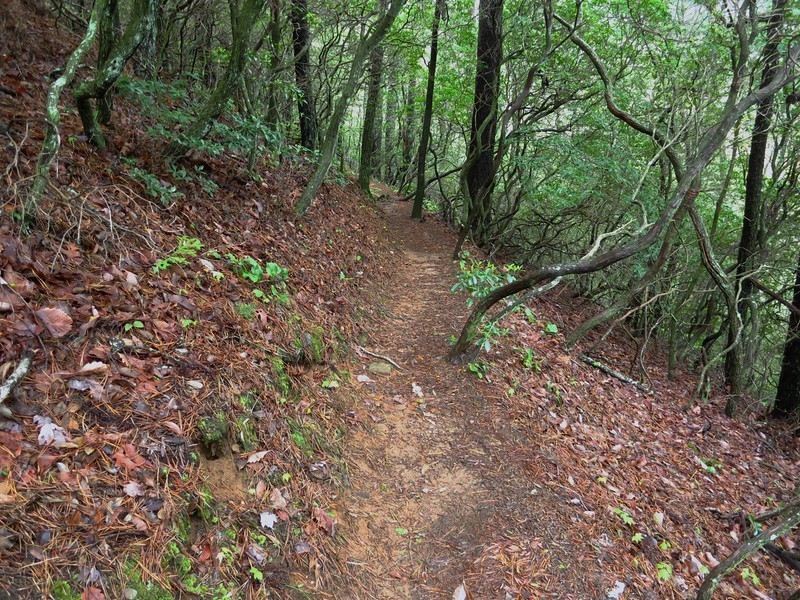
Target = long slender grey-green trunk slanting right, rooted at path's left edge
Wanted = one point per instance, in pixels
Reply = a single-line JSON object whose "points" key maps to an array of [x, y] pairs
{"points": [[366, 46]]}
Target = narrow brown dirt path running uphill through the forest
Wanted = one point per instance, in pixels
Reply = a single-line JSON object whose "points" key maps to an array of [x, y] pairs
{"points": [[433, 485]]}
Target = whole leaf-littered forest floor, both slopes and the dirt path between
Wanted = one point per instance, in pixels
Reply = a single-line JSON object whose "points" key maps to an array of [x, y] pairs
{"points": [[185, 431]]}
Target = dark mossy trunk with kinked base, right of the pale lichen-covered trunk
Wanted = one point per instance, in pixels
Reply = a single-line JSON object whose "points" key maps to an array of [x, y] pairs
{"points": [[142, 19]]}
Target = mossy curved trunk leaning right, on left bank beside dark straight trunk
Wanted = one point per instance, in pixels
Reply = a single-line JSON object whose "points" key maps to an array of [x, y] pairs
{"points": [[242, 21]]}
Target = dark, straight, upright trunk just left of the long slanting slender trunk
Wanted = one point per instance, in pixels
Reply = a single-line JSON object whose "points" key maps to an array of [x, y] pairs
{"points": [[301, 42]]}
